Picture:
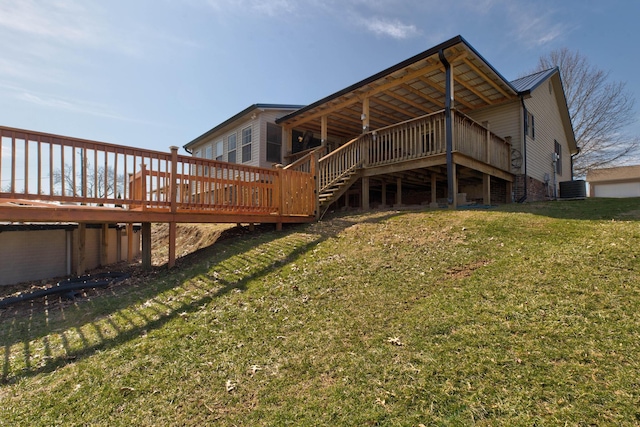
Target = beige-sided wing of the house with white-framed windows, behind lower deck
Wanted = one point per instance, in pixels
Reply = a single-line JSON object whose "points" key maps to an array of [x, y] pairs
{"points": [[251, 137]]}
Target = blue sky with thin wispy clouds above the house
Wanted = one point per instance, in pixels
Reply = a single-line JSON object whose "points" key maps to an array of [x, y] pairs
{"points": [[156, 73]]}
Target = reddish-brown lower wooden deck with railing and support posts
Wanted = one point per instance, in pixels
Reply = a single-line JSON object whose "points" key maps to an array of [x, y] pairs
{"points": [[53, 178]]}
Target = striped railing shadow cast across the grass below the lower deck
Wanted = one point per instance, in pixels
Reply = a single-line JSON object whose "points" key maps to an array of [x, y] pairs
{"points": [[227, 265]]}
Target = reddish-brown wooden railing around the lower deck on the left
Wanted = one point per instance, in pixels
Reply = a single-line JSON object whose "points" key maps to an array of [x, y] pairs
{"points": [[43, 167]]}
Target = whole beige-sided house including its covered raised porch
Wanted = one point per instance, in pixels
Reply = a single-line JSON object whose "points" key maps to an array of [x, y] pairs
{"points": [[443, 127]]}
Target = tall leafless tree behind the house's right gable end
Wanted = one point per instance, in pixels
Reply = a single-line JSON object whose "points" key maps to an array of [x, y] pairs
{"points": [[600, 110]]}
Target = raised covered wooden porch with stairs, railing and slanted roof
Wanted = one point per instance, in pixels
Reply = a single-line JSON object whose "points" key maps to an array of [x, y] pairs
{"points": [[410, 126]]}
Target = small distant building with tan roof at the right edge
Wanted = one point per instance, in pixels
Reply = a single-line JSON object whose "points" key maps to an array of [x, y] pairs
{"points": [[622, 181]]}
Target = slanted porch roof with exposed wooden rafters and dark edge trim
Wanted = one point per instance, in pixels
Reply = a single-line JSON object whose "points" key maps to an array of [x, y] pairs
{"points": [[409, 89]]}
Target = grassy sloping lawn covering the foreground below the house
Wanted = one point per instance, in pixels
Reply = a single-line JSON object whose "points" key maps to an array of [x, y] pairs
{"points": [[527, 315]]}
